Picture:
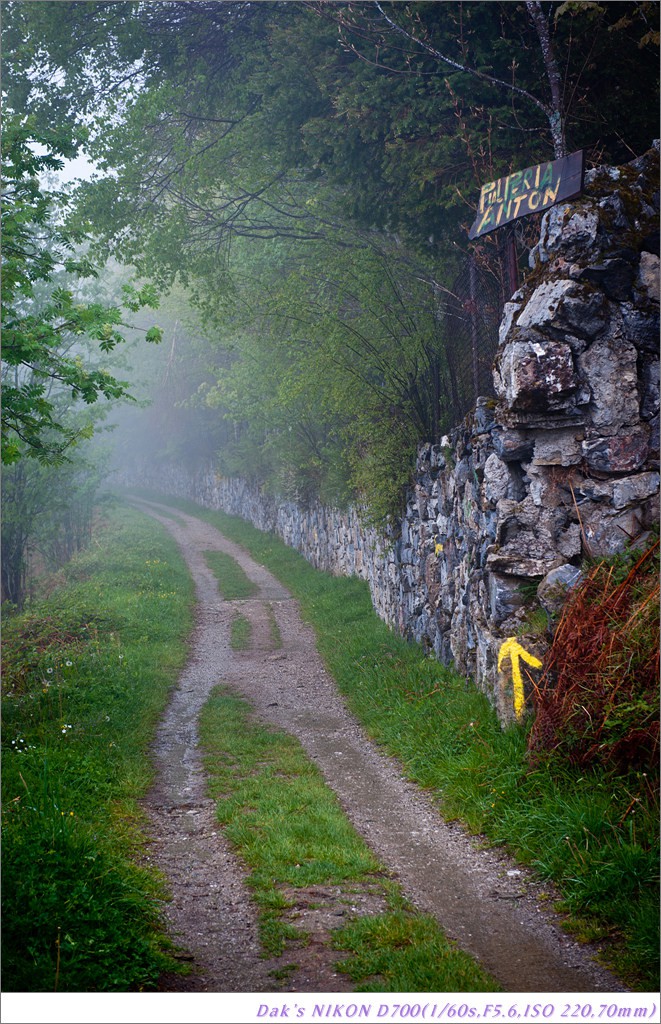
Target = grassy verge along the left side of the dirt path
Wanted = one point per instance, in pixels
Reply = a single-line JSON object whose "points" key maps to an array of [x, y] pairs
{"points": [[86, 676]]}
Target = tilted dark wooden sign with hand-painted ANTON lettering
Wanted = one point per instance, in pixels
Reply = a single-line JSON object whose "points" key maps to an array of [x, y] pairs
{"points": [[527, 192]]}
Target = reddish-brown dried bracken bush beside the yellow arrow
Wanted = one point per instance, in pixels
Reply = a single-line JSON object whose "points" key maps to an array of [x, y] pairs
{"points": [[598, 702]]}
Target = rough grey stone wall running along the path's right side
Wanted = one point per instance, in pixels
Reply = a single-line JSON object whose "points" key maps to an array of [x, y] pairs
{"points": [[563, 465]]}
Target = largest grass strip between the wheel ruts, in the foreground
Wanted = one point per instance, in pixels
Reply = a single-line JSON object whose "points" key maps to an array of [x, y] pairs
{"points": [[290, 830]]}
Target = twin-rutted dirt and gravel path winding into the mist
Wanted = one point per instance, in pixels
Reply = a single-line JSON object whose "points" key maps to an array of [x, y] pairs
{"points": [[489, 905]]}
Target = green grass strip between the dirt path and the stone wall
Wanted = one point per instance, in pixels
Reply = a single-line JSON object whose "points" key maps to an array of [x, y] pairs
{"points": [[594, 834]]}
